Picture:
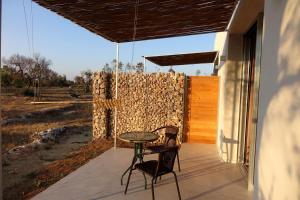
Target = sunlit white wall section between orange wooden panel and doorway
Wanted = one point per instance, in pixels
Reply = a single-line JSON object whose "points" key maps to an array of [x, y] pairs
{"points": [[230, 46]]}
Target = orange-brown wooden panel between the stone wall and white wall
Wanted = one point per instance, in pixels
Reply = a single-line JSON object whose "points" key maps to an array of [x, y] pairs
{"points": [[202, 108]]}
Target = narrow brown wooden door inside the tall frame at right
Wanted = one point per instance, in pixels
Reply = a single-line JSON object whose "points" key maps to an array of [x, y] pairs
{"points": [[251, 40]]}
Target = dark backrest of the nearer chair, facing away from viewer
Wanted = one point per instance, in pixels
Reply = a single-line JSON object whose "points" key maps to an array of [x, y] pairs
{"points": [[167, 159]]}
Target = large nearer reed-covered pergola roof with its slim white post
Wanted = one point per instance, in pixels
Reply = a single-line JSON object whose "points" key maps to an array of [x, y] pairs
{"points": [[134, 20]]}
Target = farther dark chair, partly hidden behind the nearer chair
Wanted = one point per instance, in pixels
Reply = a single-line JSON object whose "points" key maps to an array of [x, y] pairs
{"points": [[169, 139]]}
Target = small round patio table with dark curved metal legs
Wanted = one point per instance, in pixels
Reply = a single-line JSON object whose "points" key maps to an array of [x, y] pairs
{"points": [[138, 138]]}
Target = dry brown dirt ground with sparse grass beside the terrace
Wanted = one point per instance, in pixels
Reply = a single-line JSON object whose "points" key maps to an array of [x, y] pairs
{"points": [[28, 173]]}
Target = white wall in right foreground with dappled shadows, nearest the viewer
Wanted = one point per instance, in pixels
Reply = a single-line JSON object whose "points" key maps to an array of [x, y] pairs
{"points": [[277, 162]]}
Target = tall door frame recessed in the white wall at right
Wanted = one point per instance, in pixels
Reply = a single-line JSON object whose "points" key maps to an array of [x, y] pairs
{"points": [[243, 102]]}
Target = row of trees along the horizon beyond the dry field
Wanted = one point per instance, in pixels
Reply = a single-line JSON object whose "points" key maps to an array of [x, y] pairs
{"points": [[25, 72]]}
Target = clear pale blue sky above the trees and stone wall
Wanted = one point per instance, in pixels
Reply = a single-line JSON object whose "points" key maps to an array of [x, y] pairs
{"points": [[73, 49]]}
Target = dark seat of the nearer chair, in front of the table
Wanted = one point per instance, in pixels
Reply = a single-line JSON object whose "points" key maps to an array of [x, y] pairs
{"points": [[149, 167]]}
